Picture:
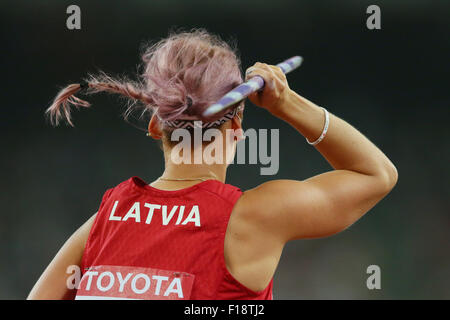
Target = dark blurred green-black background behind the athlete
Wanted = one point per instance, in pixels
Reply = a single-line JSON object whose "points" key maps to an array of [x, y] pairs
{"points": [[392, 84]]}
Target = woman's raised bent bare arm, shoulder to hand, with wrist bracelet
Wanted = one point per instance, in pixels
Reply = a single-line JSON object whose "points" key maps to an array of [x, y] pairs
{"points": [[327, 203]]}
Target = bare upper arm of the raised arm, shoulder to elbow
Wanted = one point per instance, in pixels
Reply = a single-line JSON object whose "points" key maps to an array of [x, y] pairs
{"points": [[317, 207]]}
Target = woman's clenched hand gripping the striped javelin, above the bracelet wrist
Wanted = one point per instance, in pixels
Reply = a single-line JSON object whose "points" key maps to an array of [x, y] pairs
{"points": [[275, 91]]}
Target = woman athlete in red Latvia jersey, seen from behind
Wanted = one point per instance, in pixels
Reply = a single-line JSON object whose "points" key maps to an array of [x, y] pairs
{"points": [[188, 234]]}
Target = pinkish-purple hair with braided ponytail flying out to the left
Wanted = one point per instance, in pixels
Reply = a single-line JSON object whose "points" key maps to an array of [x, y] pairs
{"points": [[183, 74]]}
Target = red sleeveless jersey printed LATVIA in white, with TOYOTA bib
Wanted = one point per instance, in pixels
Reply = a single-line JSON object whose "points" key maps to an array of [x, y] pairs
{"points": [[147, 243]]}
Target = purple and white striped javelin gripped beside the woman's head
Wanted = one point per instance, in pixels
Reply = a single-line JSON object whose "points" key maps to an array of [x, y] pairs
{"points": [[254, 84]]}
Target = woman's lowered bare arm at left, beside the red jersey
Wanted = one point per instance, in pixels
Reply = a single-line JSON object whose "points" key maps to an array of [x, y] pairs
{"points": [[52, 283]]}
